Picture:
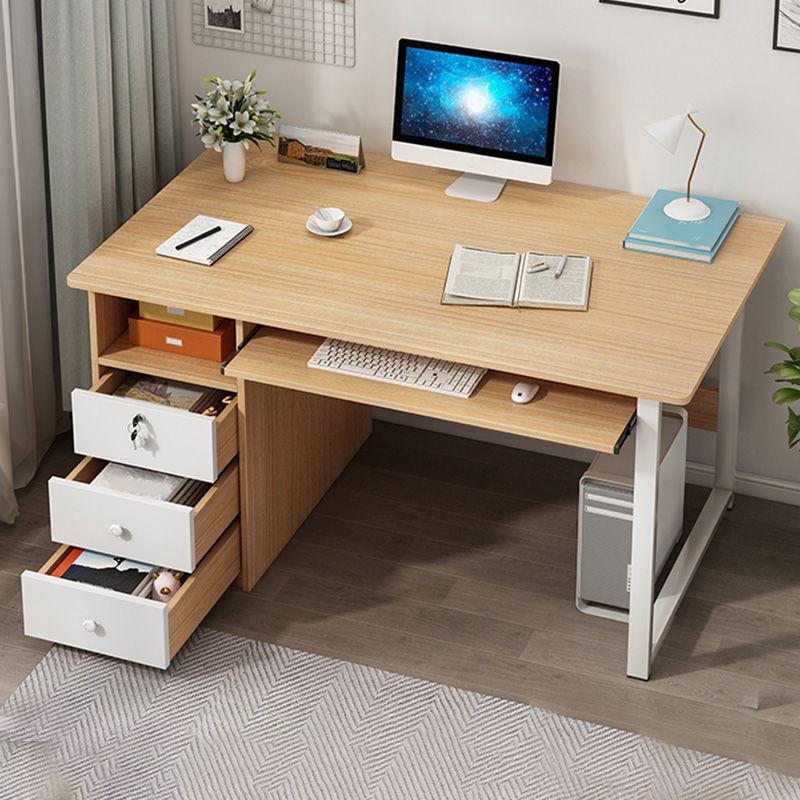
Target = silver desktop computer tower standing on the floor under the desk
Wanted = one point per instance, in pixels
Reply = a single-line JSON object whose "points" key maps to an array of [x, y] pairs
{"points": [[605, 519]]}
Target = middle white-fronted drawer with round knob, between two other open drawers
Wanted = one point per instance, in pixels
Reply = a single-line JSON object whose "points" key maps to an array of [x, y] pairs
{"points": [[153, 531]]}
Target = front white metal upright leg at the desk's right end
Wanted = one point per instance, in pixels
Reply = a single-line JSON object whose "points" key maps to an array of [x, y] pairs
{"points": [[643, 544]]}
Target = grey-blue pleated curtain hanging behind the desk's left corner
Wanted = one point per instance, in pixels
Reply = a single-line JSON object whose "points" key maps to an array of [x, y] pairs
{"points": [[113, 136]]}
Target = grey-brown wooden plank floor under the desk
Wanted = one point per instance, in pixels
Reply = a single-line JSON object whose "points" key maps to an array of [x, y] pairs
{"points": [[453, 560]]}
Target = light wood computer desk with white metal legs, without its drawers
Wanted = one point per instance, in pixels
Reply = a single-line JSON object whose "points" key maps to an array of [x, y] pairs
{"points": [[652, 331]]}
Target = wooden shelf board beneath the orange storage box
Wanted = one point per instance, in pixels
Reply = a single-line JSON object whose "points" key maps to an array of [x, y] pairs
{"points": [[124, 355]]}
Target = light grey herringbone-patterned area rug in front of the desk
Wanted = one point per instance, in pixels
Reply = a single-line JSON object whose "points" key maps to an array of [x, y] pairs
{"points": [[236, 718]]}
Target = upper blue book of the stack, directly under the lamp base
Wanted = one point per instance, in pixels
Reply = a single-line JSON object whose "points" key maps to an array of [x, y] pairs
{"points": [[653, 225]]}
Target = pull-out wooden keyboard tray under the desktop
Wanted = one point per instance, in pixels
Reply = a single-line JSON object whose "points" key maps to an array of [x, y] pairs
{"points": [[563, 414]]}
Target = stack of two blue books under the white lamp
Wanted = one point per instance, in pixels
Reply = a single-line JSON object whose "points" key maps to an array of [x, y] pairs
{"points": [[655, 232]]}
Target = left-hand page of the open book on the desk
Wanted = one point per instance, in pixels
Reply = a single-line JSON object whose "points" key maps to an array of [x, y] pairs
{"points": [[482, 274]]}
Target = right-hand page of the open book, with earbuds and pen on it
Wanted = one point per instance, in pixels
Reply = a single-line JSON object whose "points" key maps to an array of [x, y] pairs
{"points": [[543, 289]]}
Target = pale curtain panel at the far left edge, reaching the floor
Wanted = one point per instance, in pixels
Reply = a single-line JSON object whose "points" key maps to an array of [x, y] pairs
{"points": [[28, 409]]}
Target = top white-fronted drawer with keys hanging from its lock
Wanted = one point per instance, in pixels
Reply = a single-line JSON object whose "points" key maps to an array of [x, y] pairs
{"points": [[179, 442]]}
